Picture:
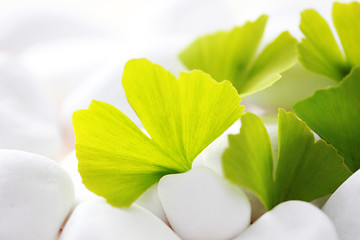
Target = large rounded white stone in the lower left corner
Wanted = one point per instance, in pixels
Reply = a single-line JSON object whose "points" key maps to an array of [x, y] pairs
{"points": [[36, 195]]}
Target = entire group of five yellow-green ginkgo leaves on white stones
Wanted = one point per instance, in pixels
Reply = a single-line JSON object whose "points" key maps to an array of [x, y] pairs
{"points": [[182, 116]]}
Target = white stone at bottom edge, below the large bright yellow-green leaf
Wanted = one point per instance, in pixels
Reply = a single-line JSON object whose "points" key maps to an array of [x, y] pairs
{"points": [[97, 220]]}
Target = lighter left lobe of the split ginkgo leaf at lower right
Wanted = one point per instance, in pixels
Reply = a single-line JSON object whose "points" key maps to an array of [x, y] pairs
{"points": [[248, 161]]}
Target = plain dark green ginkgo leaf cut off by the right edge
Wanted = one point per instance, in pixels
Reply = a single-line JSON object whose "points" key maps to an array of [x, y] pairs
{"points": [[334, 114]]}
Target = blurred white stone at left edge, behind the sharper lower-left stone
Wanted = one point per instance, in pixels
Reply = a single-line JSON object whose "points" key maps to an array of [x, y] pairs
{"points": [[27, 117]]}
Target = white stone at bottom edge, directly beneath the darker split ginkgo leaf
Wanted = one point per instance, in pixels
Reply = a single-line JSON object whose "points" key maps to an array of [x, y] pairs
{"points": [[295, 220]]}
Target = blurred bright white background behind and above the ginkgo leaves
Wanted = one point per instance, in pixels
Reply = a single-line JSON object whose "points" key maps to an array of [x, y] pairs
{"points": [[73, 51]]}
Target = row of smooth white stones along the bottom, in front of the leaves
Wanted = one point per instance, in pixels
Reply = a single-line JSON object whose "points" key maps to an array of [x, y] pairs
{"points": [[37, 202]]}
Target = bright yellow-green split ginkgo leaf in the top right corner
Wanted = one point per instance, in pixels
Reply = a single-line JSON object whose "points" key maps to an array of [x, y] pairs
{"points": [[320, 53]]}
